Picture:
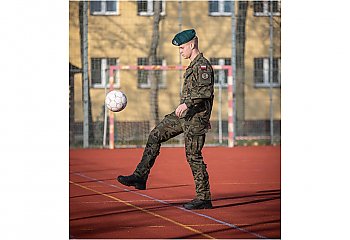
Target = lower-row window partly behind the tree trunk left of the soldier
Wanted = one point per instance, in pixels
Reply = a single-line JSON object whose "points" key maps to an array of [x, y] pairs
{"points": [[143, 80]]}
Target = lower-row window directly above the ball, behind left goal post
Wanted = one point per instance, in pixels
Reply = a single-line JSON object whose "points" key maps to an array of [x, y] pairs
{"points": [[100, 73]]}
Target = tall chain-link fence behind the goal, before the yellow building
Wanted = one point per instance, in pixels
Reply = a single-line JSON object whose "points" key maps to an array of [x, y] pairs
{"points": [[119, 33]]}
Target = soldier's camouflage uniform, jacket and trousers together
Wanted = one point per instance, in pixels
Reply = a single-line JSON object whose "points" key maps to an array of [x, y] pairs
{"points": [[198, 94]]}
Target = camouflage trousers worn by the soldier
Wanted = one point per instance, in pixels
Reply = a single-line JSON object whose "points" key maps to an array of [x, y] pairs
{"points": [[168, 128]]}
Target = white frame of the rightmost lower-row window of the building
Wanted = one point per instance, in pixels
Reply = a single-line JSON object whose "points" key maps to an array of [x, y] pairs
{"points": [[266, 73]]}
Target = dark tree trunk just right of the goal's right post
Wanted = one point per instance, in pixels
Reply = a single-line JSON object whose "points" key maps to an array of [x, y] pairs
{"points": [[240, 63]]}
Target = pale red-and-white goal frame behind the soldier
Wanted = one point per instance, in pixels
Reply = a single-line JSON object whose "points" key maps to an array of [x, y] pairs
{"points": [[230, 97]]}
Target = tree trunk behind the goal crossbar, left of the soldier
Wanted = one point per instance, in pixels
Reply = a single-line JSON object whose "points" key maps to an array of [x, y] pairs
{"points": [[152, 61]]}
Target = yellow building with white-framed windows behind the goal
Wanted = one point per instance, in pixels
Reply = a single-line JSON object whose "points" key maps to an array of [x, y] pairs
{"points": [[119, 32]]}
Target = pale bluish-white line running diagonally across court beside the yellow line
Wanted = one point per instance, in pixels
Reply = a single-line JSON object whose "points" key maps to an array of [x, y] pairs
{"points": [[181, 208]]}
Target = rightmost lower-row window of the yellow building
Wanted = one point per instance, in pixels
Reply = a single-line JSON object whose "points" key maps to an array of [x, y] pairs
{"points": [[262, 72]]}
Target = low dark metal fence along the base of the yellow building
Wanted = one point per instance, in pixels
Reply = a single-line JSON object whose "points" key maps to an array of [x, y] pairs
{"points": [[135, 134]]}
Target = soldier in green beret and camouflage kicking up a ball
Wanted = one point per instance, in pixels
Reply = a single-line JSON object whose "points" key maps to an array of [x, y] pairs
{"points": [[191, 117]]}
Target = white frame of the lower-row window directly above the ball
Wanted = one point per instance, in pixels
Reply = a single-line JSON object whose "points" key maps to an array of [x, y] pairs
{"points": [[104, 74]]}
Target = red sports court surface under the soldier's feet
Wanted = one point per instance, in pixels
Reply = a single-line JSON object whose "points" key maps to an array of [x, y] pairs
{"points": [[245, 186]]}
